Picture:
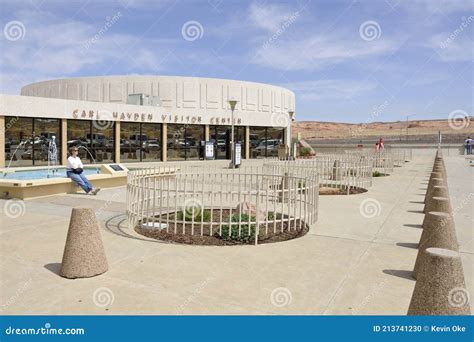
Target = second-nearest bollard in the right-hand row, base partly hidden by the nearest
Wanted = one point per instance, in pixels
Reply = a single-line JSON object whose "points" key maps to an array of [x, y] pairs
{"points": [[438, 231]]}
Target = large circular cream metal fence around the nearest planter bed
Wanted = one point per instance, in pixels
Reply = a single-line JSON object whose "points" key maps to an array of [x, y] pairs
{"points": [[246, 205]]}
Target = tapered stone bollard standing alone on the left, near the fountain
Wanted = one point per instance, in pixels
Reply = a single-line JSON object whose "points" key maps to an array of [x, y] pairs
{"points": [[84, 254]]}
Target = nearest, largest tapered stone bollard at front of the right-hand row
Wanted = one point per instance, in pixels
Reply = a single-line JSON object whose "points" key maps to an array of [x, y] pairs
{"points": [[440, 289]]}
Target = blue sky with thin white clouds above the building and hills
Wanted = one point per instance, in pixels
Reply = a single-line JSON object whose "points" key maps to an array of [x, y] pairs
{"points": [[347, 61]]}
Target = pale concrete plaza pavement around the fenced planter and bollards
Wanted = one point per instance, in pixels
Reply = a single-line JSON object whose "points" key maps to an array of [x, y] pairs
{"points": [[356, 260]]}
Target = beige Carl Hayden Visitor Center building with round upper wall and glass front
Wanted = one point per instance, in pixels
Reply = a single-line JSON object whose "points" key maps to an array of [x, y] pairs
{"points": [[120, 119]]}
